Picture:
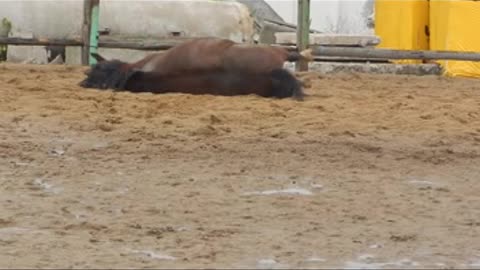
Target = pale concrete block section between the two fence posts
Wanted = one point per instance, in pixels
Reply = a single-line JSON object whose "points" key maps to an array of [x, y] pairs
{"points": [[195, 18]]}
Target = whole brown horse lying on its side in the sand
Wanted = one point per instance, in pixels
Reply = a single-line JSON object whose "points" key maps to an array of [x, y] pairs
{"points": [[194, 60]]}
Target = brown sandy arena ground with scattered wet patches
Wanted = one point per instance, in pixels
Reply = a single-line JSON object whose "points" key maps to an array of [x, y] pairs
{"points": [[372, 171]]}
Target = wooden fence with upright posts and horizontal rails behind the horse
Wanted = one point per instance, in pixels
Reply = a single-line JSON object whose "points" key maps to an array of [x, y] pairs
{"points": [[91, 41]]}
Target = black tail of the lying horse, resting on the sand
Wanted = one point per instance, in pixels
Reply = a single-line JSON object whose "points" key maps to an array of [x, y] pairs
{"points": [[284, 84]]}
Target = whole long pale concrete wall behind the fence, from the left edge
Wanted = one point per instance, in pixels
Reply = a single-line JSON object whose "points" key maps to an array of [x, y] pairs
{"points": [[135, 19]]}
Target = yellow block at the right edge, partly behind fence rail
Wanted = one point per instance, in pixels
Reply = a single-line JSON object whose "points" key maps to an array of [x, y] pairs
{"points": [[455, 26]]}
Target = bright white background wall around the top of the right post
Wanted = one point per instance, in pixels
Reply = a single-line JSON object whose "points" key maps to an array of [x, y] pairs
{"points": [[331, 16]]}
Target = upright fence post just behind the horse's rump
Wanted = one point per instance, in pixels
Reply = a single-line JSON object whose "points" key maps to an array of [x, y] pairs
{"points": [[303, 31]]}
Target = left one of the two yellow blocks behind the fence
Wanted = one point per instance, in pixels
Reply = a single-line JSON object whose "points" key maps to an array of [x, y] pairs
{"points": [[402, 25]]}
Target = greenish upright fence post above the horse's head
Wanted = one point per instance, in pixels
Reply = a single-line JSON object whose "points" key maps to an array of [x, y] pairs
{"points": [[91, 16]]}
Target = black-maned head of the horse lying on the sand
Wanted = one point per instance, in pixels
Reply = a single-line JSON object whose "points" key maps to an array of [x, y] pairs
{"points": [[107, 74]]}
